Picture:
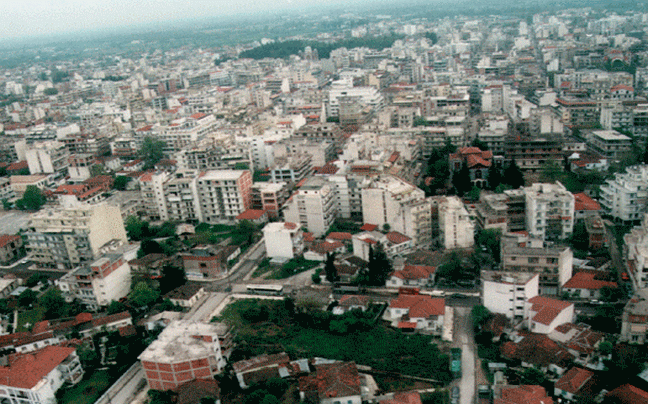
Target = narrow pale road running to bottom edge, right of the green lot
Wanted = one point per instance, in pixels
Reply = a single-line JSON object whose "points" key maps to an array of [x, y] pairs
{"points": [[465, 340]]}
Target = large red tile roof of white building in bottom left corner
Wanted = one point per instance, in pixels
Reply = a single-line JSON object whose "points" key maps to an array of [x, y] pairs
{"points": [[26, 371]]}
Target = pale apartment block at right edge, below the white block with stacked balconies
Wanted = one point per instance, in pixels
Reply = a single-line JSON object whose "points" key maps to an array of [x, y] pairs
{"points": [[636, 250]]}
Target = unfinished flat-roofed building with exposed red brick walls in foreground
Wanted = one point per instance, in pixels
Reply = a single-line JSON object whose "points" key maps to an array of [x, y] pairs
{"points": [[186, 351]]}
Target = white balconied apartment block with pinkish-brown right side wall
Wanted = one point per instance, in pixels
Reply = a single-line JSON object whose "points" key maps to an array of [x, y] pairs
{"points": [[223, 194]]}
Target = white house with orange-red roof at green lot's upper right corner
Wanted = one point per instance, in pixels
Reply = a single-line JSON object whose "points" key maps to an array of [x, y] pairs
{"points": [[418, 312]]}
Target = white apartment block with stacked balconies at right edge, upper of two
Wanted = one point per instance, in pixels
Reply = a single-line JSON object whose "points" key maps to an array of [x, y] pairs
{"points": [[624, 197]]}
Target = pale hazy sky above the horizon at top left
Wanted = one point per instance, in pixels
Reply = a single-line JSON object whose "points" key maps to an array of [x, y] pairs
{"points": [[19, 18]]}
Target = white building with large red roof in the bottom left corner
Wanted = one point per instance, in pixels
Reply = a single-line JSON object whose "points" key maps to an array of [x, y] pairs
{"points": [[34, 378]]}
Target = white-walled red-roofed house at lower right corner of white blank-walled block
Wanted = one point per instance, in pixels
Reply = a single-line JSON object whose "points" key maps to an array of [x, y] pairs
{"points": [[545, 314]]}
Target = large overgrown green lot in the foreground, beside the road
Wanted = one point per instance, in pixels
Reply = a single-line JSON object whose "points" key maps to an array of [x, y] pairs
{"points": [[304, 331]]}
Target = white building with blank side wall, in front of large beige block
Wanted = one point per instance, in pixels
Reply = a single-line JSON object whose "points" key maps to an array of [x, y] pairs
{"points": [[97, 284]]}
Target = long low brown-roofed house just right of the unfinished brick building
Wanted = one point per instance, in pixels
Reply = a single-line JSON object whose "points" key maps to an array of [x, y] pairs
{"points": [[261, 368]]}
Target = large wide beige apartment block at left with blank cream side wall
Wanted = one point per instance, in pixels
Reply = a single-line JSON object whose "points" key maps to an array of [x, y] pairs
{"points": [[66, 237]]}
